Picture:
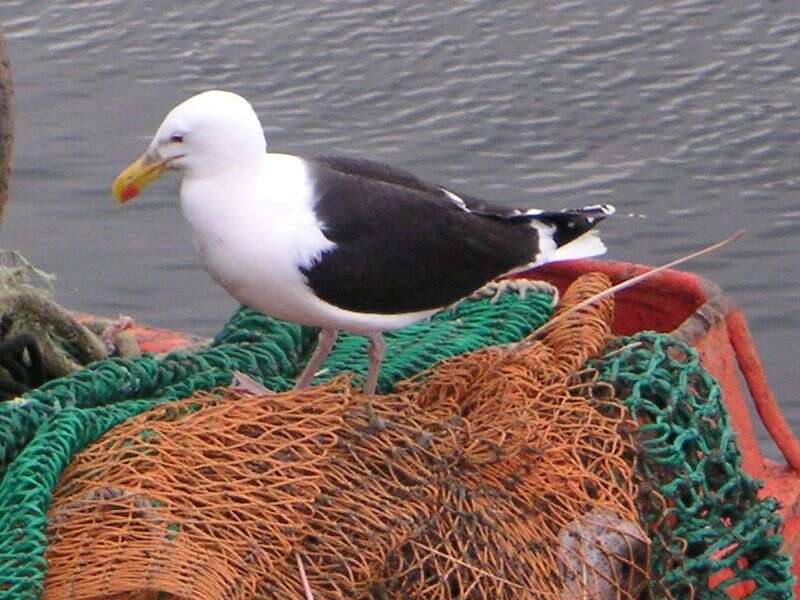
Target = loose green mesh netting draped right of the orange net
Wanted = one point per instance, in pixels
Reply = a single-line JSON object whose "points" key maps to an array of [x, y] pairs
{"points": [[699, 508]]}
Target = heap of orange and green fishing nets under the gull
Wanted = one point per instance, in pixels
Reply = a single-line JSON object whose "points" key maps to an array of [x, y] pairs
{"points": [[506, 472]]}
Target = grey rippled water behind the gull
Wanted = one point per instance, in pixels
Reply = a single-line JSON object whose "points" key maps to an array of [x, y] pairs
{"points": [[687, 111]]}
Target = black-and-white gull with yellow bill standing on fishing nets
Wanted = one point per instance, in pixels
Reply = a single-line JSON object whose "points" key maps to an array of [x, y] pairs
{"points": [[339, 243]]}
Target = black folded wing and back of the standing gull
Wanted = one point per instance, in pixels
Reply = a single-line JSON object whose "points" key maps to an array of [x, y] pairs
{"points": [[402, 245]]}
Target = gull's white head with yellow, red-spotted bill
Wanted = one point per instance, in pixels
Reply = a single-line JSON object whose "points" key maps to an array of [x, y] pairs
{"points": [[206, 134]]}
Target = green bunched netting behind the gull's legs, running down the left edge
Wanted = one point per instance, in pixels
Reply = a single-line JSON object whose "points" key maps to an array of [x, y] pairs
{"points": [[40, 433]]}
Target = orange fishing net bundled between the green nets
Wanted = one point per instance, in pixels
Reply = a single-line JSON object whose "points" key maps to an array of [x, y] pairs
{"points": [[503, 473]]}
